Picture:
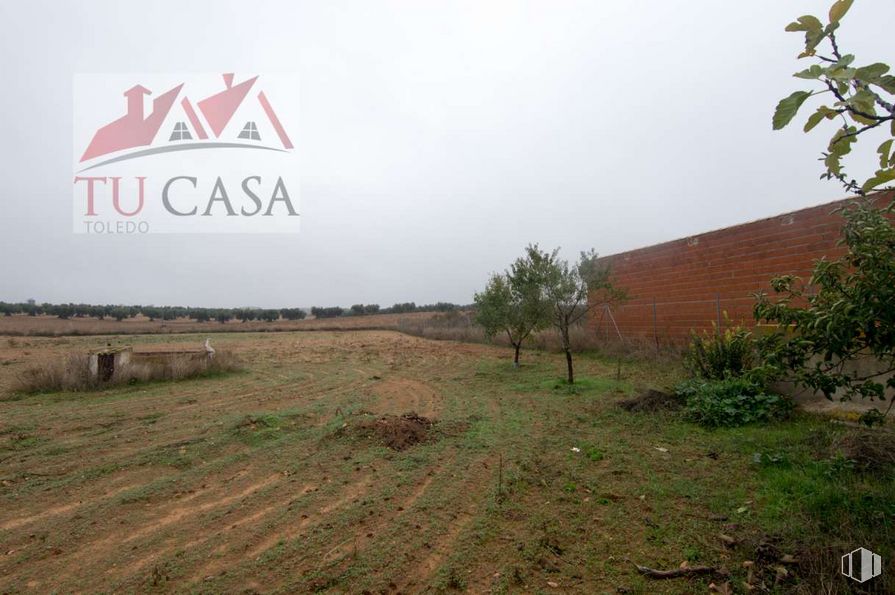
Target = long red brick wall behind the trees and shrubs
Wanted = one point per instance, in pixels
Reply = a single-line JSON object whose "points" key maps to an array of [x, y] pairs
{"points": [[690, 278]]}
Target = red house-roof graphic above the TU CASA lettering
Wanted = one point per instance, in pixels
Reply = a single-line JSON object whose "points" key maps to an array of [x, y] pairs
{"points": [[135, 129]]}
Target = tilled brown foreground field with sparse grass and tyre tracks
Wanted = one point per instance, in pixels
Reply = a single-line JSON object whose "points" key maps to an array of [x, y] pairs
{"points": [[267, 480]]}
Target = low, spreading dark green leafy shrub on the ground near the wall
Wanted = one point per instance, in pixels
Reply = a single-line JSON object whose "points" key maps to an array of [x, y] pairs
{"points": [[731, 402]]}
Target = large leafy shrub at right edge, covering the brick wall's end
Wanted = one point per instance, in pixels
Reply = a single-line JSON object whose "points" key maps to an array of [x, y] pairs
{"points": [[840, 316]]}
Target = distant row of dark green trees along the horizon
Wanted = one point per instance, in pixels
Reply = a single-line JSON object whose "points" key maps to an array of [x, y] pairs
{"points": [[222, 315]]}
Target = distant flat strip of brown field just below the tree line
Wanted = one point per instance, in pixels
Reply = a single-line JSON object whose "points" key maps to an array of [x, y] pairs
{"points": [[24, 325]]}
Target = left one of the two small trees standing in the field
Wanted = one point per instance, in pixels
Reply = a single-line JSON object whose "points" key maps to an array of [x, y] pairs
{"points": [[513, 303]]}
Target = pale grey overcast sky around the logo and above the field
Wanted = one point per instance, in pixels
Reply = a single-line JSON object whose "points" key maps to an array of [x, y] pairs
{"points": [[437, 138]]}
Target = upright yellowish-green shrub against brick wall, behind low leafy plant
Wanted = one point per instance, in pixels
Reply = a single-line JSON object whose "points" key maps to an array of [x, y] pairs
{"points": [[718, 356]]}
